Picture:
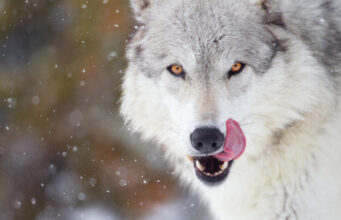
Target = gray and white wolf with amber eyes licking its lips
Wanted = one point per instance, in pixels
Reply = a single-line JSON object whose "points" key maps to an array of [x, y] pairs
{"points": [[243, 97]]}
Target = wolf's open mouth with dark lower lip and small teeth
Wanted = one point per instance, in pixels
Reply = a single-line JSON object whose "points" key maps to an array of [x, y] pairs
{"points": [[211, 170]]}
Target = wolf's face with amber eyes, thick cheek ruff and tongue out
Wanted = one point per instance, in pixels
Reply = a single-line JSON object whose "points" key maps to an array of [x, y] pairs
{"points": [[202, 71]]}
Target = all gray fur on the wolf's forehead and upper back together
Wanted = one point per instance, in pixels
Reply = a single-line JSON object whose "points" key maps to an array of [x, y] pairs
{"points": [[201, 27]]}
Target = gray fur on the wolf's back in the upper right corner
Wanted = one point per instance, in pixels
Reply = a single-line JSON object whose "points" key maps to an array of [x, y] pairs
{"points": [[322, 31]]}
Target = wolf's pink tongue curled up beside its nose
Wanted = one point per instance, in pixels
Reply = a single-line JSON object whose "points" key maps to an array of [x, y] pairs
{"points": [[235, 142]]}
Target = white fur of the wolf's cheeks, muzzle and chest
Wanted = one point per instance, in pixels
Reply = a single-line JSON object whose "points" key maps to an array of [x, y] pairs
{"points": [[293, 176]]}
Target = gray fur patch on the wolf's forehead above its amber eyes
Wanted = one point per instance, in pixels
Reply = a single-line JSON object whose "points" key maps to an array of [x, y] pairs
{"points": [[208, 34]]}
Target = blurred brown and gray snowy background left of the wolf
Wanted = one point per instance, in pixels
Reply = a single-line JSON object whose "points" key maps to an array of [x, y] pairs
{"points": [[64, 152]]}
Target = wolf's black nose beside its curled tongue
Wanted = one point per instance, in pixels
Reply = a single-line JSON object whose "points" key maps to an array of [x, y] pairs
{"points": [[207, 140]]}
